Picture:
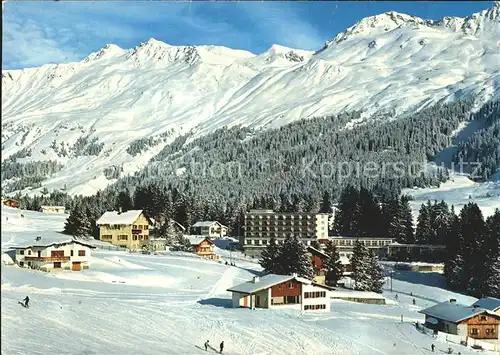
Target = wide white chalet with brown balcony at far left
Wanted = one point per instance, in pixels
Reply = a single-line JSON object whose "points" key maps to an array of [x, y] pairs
{"points": [[49, 254]]}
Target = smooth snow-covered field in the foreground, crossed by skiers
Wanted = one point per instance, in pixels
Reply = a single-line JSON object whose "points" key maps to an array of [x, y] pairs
{"points": [[172, 303]]}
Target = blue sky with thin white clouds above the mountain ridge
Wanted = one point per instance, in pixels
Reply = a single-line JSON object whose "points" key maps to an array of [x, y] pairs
{"points": [[36, 33]]}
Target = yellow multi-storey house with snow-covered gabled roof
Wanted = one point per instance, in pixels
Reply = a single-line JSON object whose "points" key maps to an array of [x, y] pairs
{"points": [[128, 229]]}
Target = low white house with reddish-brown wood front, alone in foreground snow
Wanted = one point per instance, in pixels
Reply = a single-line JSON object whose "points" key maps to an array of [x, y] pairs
{"points": [[281, 291]]}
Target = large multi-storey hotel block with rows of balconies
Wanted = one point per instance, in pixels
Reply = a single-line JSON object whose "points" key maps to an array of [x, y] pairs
{"points": [[262, 225]]}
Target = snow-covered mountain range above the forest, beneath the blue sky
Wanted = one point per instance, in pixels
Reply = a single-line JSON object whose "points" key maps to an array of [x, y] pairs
{"points": [[87, 115]]}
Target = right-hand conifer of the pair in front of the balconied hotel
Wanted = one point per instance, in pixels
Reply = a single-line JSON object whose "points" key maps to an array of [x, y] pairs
{"points": [[296, 259]]}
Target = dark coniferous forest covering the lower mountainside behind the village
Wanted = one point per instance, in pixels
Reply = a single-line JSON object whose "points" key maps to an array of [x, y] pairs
{"points": [[302, 167]]}
